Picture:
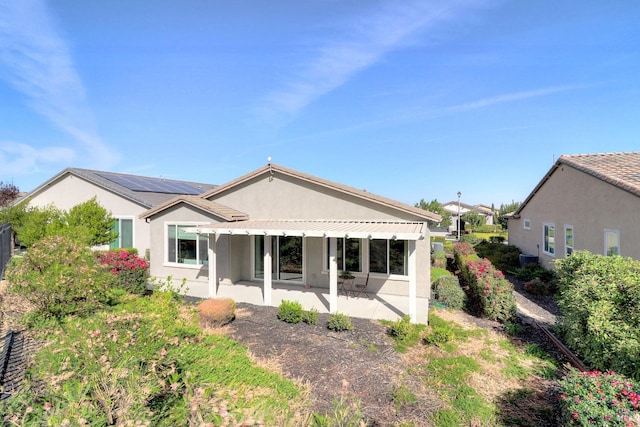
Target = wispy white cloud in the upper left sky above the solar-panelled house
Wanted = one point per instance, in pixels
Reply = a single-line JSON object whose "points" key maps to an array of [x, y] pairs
{"points": [[40, 67]]}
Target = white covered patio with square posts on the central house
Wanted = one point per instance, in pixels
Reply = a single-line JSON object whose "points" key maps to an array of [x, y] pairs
{"points": [[328, 299]]}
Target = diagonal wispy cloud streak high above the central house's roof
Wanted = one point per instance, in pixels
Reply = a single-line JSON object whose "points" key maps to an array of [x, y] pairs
{"points": [[364, 41]]}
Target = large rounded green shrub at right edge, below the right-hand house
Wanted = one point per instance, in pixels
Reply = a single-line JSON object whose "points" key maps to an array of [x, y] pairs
{"points": [[599, 297]]}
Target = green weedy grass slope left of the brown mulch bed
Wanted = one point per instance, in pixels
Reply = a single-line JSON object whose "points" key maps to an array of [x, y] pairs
{"points": [[146, 361]]}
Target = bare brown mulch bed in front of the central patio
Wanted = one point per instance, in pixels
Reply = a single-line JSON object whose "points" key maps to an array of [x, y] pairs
{"points": [[361, 362]]}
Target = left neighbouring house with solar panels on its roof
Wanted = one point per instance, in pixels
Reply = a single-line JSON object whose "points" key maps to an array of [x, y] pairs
{"points": [[125, 196]]}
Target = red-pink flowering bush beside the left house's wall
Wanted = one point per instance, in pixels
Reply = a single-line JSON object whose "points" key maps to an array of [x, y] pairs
{"points": [[130, 272]]}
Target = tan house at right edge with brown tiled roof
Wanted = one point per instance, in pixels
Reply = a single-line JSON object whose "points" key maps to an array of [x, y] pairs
{"points": [[584, 202]]}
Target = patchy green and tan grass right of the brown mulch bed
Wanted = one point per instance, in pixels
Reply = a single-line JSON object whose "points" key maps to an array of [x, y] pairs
{"points": [[483, 378]]}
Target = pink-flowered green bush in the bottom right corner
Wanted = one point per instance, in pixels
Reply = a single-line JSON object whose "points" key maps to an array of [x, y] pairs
{"points": [[597, 398]]}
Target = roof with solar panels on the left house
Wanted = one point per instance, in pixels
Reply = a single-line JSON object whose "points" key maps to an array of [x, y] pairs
{"points": [[129, 186]]}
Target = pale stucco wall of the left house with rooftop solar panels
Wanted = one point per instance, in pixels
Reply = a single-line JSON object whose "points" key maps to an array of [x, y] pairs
{"points": [[70, 190]]}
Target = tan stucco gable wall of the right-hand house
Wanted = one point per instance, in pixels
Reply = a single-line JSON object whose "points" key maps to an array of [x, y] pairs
{"points": [[590, 205]]}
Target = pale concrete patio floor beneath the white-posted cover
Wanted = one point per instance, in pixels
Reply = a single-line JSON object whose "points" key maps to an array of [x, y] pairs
{"points": [[373, 306]]}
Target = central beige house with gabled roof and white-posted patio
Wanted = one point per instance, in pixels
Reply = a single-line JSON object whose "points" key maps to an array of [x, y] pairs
{"points": [[279, 225]]}
